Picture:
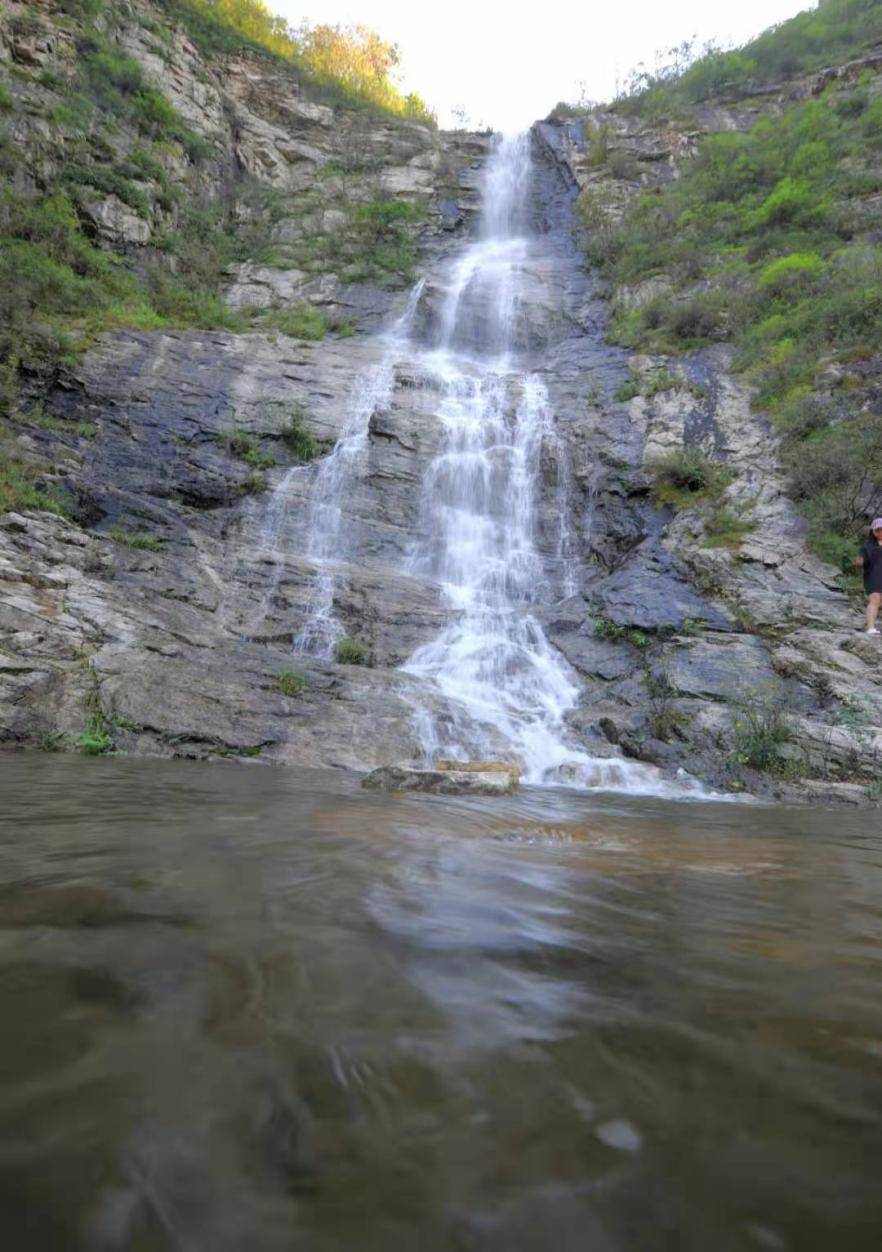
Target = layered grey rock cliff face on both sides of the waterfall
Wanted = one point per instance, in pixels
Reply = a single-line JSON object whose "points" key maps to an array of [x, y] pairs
{"points": [[160, 617]]}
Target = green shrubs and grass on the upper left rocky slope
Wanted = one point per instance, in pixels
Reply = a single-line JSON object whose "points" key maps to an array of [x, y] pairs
{"points": [[58, 290]]}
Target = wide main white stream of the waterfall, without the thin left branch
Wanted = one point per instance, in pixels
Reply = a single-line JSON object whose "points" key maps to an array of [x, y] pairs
{"points": [[502, 679]]}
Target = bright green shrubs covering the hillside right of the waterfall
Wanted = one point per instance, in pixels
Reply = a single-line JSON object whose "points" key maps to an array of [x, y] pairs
{"points": [[769, 241]]}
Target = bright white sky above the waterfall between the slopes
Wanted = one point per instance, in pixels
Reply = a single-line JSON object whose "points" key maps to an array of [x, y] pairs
{"points": [[509, 64]]}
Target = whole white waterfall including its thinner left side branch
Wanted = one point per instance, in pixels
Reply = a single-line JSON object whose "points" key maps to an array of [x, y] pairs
{"points": [[490, 685]]}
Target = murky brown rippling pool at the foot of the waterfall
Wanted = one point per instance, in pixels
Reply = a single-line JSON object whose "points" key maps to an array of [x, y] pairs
{"points": [[264, 1010]]}
